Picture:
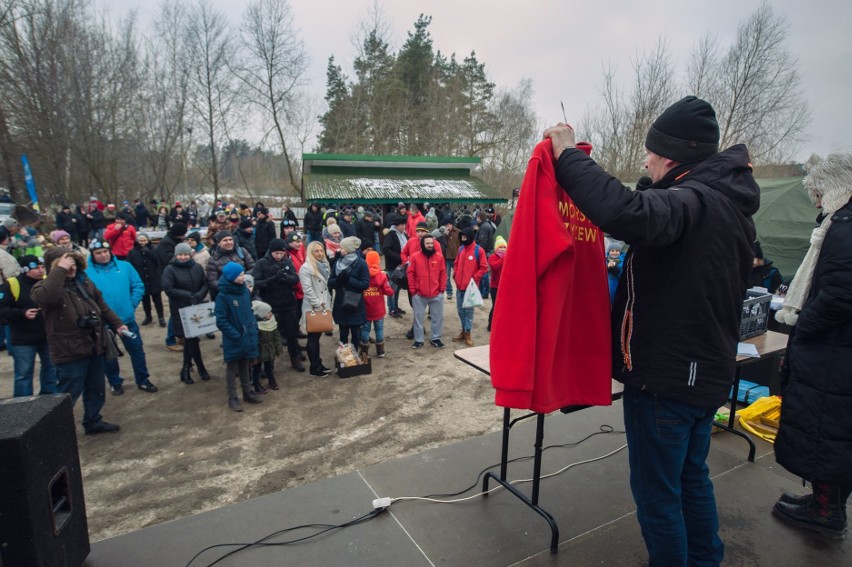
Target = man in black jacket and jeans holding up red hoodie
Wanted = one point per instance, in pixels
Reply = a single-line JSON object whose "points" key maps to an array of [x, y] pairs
{"points": [[676, 312]]}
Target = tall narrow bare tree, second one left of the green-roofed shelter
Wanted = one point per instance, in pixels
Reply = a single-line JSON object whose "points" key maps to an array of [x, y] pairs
{"points": [[212, 93]]}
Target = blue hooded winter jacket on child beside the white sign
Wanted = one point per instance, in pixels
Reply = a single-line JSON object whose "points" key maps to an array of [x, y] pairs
{"points": [[235, 319]]}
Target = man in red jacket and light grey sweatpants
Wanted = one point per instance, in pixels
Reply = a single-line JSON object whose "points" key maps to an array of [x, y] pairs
{"points": [[427, 280]]}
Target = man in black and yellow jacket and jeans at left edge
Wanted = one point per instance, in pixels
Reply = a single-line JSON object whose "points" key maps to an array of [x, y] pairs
{"points": [[28, 337]]}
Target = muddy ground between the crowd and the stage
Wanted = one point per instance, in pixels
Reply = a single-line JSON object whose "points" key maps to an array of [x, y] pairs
{"points": [[181, 451]]}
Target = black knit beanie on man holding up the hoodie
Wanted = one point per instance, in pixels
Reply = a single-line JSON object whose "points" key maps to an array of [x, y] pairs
{"points": [[686, 131]]}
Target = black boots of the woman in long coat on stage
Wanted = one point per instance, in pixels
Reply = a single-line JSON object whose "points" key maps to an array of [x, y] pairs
{"points": [[824, 513]]}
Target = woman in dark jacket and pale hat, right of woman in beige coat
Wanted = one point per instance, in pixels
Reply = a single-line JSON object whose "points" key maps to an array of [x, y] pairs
{"points": [[349, 273]]}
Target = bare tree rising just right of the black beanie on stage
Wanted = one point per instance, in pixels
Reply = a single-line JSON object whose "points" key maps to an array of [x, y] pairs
{"points": [[755, 87]]}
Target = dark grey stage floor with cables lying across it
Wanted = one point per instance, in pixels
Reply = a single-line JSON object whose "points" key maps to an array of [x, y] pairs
{"points": [[590, 502]]}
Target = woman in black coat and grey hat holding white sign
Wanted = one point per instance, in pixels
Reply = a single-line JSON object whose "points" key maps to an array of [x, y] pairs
{"points": [[185, 284]]}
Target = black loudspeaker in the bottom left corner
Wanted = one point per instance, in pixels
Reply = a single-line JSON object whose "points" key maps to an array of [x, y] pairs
{"points": [[42, 513]]}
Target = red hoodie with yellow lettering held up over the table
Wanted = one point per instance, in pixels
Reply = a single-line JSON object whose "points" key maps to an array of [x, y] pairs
{"points": [[555, 302]]}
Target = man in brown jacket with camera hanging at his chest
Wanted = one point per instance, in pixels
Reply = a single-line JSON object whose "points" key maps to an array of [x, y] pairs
{"points": [[75, 315]]}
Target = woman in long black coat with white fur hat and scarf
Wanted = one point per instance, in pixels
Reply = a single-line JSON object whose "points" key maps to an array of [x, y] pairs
{"points": [[815, 437]]}
